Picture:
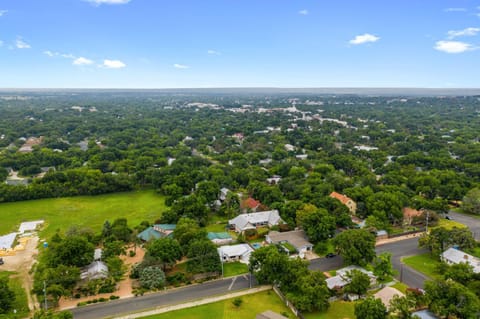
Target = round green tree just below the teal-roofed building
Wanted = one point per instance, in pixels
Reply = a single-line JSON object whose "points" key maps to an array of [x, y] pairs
{"points": [[164, 250]]}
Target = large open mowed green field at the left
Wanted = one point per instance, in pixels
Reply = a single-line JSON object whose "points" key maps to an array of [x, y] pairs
{"points": [[90, 211]]}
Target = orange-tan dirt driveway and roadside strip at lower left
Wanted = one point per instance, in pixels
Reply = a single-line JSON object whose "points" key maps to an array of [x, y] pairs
{"points": [[124, 287]]}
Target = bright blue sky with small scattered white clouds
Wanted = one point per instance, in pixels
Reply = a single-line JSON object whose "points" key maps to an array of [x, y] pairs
{"points": [[239, 43]]}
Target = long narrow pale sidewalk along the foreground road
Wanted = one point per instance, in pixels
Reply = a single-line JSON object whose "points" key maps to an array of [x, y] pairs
{"points": [[194, 303]]}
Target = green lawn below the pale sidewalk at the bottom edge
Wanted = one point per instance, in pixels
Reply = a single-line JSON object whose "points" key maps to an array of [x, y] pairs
{"points": [[250, 307]]}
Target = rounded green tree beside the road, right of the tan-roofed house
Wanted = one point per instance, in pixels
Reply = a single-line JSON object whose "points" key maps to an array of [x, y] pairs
{"points": [[356, 246]]}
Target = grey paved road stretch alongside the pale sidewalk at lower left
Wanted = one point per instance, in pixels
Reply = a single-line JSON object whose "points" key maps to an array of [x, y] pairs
{"points": [[170, 297]]}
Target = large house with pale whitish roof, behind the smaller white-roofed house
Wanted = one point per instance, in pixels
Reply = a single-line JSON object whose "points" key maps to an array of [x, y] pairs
{"points": [[253, 220]]}
